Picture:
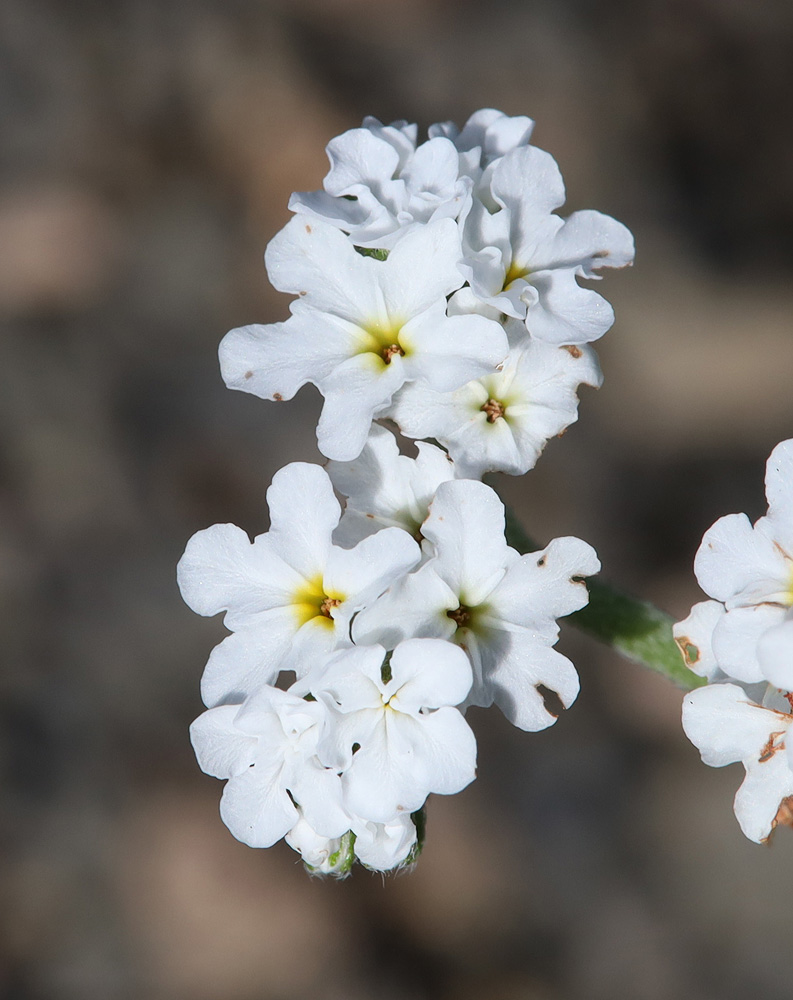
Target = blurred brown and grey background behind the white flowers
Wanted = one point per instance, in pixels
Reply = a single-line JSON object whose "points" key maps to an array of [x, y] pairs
{"points": [[148, 151]]}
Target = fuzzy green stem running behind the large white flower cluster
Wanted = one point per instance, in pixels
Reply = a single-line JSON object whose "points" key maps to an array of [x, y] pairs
{"points": [[635, 628]]}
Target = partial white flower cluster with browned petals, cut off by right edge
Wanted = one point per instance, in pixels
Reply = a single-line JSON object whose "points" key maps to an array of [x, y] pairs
{"points": [[741, 641]]}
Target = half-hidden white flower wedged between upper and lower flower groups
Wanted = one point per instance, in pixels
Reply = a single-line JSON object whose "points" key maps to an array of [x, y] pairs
{"points": [[386, 489]]}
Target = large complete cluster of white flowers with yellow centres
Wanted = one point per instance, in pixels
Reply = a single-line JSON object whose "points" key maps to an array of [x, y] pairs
{"points": [[434, 286]]}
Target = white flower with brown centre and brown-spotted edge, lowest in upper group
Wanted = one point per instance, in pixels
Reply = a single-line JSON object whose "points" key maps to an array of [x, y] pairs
{"points": [[501, 422]]}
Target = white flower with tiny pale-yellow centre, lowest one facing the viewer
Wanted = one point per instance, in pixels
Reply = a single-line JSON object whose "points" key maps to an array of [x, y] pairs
{"points": [[396, 734]]}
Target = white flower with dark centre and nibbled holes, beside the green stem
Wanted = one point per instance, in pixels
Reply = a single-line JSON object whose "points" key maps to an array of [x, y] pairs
{"points": [[499, 606]]}
